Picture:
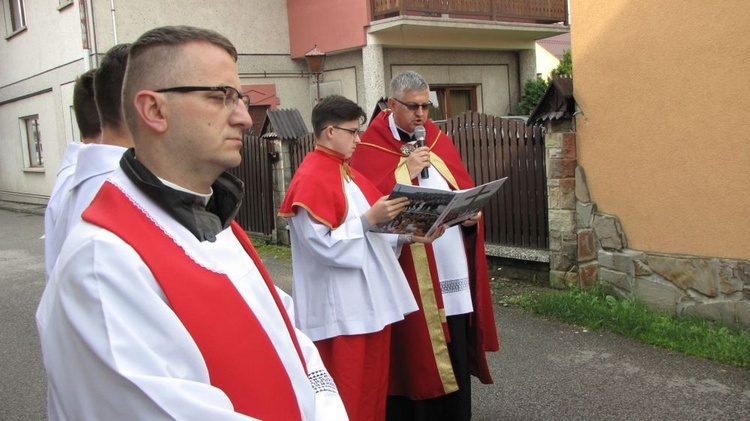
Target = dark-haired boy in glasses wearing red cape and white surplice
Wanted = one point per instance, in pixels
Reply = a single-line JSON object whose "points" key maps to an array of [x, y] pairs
{"points": [[348, 286]]}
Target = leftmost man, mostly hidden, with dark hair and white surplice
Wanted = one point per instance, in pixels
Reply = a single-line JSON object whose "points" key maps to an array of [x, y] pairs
{"points": [[87, 119]]}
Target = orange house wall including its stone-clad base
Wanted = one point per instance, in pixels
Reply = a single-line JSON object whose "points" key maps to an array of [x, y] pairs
{"points": [[663, 165]]}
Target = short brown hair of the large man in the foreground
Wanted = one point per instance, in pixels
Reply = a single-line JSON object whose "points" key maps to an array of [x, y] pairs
{"points": [[154, 56]]}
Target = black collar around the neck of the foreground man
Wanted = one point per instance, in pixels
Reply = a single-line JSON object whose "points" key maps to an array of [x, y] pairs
{"points": [[204, 216]]}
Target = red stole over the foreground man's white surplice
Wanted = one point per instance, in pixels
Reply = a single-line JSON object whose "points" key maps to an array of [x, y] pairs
{"points": [[239, 355]]}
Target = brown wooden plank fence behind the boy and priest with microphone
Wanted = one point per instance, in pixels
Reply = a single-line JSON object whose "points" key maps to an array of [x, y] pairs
{"points": [[492, 148]]}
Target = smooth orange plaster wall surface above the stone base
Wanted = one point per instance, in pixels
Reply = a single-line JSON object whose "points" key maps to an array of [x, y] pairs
{"points": [[665, 141]]}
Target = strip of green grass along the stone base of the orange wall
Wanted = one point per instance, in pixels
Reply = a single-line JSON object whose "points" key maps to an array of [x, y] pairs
{"points": [[596, 310]]}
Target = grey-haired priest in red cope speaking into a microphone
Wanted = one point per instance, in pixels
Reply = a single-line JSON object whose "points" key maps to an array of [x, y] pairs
{"points": [[433, 355]]}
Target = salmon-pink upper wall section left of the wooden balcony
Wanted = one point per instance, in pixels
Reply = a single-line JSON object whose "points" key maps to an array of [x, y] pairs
{"points": [[333, 25]]}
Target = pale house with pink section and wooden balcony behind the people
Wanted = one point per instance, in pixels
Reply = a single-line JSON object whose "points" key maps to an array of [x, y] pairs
{"points": [[475, 56]]}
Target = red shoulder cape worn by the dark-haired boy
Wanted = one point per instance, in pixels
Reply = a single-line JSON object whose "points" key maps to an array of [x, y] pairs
{"points": [[318, 187]]}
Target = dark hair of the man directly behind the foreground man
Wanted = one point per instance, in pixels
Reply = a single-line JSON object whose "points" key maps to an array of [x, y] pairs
{"points": [[108, 85]]}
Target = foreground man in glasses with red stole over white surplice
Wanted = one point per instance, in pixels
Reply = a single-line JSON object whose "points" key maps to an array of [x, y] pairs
{"points": [[159, 307]]}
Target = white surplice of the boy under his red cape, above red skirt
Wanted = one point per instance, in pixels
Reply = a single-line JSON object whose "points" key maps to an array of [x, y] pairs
{"points": [[346, 281]]}
